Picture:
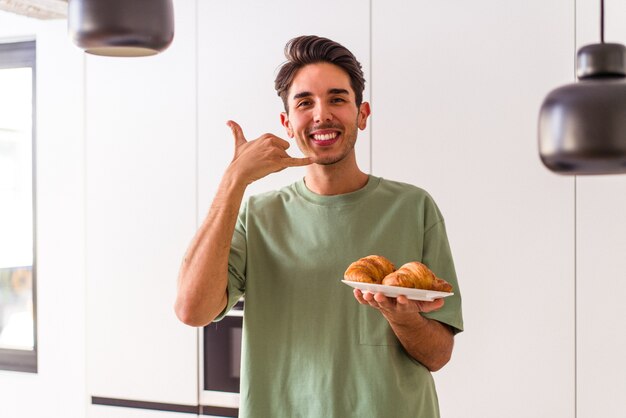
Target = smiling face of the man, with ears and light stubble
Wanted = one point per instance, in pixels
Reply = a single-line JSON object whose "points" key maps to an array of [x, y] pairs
{"points": [[323, 116]]}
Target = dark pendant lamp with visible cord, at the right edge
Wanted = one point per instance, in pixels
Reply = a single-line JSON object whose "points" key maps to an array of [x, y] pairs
{"points": [[582, 126]]}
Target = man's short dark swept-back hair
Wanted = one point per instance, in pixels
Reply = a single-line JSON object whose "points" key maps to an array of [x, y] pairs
{"points": [[311, 49]]}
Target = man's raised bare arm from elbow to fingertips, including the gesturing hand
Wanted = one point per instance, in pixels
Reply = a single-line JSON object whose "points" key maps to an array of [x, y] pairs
{"points": [[203, 277]]}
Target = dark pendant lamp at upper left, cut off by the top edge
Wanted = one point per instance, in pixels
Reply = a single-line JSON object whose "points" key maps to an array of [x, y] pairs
{"points": [[121, 28]]}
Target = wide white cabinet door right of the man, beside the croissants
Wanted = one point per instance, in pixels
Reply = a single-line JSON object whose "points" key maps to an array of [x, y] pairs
{"points": [[457, 88]]}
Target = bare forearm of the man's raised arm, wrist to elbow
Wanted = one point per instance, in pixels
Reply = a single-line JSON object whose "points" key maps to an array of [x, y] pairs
{"points": [[203, 276]]}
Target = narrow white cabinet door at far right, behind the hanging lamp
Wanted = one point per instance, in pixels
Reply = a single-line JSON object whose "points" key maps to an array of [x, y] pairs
{"points": [[601, 260]]}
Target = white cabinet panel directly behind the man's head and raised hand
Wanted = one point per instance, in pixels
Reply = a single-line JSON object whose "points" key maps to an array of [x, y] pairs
{"points": [[240, 47]]}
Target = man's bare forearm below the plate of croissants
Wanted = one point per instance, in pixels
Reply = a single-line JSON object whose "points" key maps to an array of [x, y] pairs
{"points": [[427, 341]]}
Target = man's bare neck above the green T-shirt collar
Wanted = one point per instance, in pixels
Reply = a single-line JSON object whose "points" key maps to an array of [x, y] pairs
{"points": [[334, 179]]}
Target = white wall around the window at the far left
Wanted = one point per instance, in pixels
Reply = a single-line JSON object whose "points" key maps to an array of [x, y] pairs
{"points": [[58, 389]]}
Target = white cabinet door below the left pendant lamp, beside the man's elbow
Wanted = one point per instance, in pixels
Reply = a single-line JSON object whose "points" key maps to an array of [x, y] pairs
{"points": [[140, 216]]}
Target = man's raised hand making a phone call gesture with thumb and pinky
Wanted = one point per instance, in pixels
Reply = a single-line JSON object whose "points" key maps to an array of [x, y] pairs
{"points": [[257, 158]]}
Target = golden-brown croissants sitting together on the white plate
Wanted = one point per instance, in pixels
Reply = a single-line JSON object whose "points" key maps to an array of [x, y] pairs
{"points": [[379, 270]]}
